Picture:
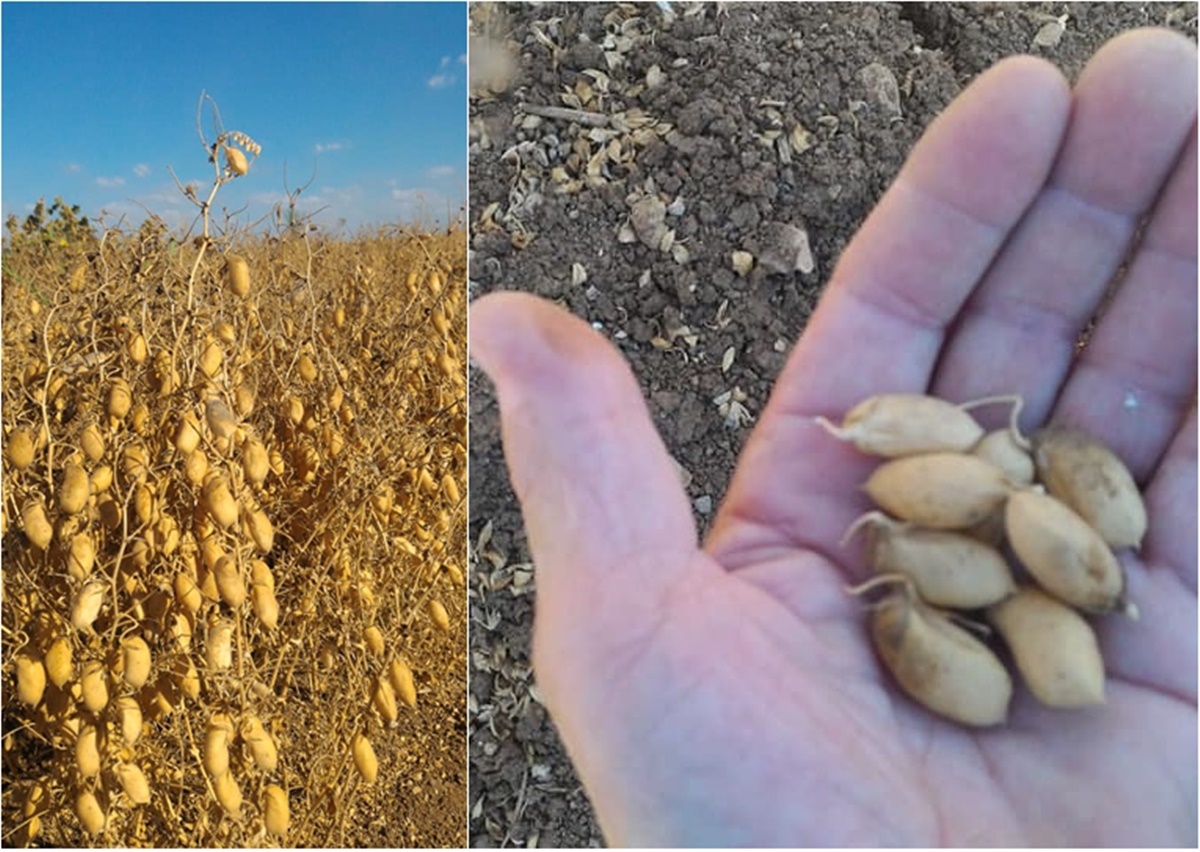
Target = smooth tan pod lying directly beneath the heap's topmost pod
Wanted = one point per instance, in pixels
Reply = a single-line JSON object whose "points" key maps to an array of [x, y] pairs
{"points": [[939, 490]]}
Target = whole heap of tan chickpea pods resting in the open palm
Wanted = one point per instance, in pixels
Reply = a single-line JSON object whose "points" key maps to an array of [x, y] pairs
{"points": [[988, 535]]}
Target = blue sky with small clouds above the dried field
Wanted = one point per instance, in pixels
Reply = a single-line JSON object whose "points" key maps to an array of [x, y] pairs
{"points": [[99, 99]]}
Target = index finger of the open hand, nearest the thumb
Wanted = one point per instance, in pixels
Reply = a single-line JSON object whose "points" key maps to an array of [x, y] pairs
{"points": [[883, 321]]}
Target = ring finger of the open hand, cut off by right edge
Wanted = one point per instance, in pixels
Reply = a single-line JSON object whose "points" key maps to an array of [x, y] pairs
{"points": [[1137, 379]]}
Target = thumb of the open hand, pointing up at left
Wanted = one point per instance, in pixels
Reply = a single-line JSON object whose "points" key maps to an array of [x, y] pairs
{"points": [[609, 524]]}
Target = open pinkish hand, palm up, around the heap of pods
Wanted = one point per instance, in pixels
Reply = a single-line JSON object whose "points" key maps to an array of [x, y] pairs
{"points": [[727, 693]]}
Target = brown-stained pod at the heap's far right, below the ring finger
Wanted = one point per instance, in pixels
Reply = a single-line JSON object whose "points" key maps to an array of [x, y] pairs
{"points": [[1091, 479]]}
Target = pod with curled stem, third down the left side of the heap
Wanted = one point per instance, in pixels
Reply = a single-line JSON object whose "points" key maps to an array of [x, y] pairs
{"points": [[949, 569]]}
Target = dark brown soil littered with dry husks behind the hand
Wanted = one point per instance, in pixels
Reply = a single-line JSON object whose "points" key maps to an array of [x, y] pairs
{"points": [[765, 129]]}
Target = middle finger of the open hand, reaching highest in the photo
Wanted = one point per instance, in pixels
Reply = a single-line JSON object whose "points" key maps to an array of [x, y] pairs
{"points": [[1131, 115]]}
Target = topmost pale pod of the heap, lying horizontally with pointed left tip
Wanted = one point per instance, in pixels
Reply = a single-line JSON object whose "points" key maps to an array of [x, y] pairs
{"points": [[893, 425]]}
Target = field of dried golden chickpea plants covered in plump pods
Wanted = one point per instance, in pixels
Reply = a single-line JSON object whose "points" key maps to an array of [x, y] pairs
{"points": [[233, 535]]}
